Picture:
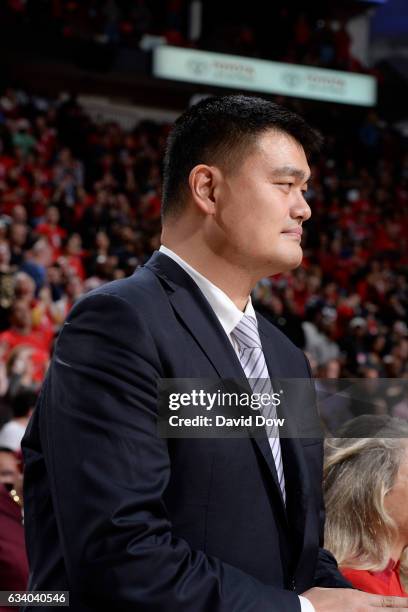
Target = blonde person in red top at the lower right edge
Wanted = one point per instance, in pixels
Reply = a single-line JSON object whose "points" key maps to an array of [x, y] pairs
{"points": [[366, 495]]}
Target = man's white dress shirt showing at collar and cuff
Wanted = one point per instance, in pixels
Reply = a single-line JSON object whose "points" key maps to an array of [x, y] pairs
{"points": [[229, 315]]}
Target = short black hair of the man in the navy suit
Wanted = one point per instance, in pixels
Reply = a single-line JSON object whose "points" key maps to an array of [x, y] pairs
{"points": [[219, 130]]}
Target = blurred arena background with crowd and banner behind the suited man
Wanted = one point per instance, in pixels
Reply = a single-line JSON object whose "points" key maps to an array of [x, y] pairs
{"points": [[83, 122]]}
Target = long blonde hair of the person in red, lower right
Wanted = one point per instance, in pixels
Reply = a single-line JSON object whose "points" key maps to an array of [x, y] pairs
{"points": [[358, 474]]}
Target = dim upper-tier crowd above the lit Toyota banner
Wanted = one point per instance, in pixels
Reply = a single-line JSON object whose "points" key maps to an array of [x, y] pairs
{"points": [[279, 32]]}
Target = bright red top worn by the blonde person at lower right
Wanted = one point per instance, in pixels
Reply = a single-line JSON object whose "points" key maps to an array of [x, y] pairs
{"points": [[386, 582]]}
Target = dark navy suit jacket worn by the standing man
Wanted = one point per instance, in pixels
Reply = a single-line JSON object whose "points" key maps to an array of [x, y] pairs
{"points": [[127, 520]]}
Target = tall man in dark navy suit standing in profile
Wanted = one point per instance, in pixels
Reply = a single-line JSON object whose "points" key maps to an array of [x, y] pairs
{"points": [[127, 520]]}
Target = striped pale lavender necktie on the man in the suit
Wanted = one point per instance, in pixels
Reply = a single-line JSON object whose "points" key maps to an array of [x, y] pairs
{"points": [[246, 338]]}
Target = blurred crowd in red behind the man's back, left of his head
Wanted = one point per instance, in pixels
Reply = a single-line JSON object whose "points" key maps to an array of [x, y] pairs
{"points": [[80, 206]]}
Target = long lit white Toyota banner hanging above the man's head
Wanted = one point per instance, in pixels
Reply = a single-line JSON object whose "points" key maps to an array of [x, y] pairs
{"points": [[238, 72]]}
